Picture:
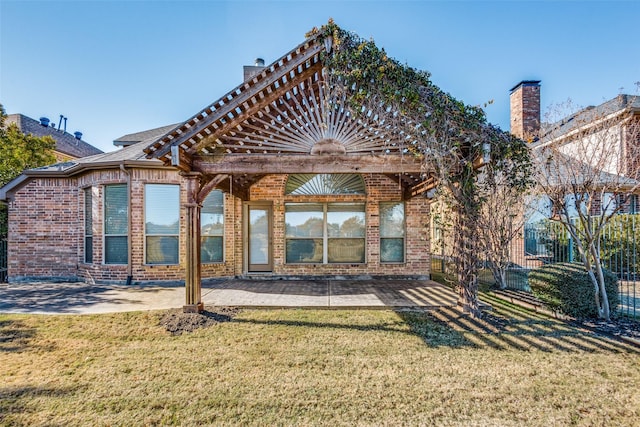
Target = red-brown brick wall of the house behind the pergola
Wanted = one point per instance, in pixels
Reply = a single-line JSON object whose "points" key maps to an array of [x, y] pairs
{"points": [[46, 230]]}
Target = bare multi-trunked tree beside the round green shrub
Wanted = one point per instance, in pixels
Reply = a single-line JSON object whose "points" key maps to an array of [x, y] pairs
{"points": [[587, 167]]}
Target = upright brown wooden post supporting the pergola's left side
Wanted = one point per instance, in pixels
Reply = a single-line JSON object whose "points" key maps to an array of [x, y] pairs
{"points": [[193, 285]]}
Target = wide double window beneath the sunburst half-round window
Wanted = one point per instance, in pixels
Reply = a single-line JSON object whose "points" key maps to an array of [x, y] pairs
{"points": [[325, 233]]}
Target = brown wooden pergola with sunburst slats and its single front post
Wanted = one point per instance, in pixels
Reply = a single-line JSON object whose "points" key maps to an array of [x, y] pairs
{"points": [[285, 119]]}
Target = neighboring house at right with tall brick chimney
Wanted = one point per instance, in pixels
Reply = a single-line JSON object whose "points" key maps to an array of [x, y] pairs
{"points": [[598, 147]]}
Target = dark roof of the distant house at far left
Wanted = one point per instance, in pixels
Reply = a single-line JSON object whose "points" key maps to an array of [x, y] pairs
{"points": [[65, 142]]}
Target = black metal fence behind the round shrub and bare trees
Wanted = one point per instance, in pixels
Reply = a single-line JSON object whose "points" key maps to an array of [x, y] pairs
{"points": [[548, 242]]}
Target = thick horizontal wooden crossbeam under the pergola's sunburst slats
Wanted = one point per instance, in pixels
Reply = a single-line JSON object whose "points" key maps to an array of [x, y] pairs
{"points": [[290, 163]]}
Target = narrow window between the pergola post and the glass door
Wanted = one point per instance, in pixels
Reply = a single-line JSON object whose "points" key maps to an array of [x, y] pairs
{"points": [[212, 228]]}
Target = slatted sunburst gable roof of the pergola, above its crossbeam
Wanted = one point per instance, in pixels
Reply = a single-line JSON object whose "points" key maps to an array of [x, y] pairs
{"points": [[286, 108]]}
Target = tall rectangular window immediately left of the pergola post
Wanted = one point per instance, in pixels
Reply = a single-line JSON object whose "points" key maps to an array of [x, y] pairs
{"points": [[162, 223]]}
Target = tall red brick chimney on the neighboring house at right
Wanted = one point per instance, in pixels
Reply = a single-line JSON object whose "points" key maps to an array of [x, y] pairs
{"points": [[525, 110]]}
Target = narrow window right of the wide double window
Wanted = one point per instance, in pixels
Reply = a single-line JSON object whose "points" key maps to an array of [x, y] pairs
{"points": [[392, 232]]}
